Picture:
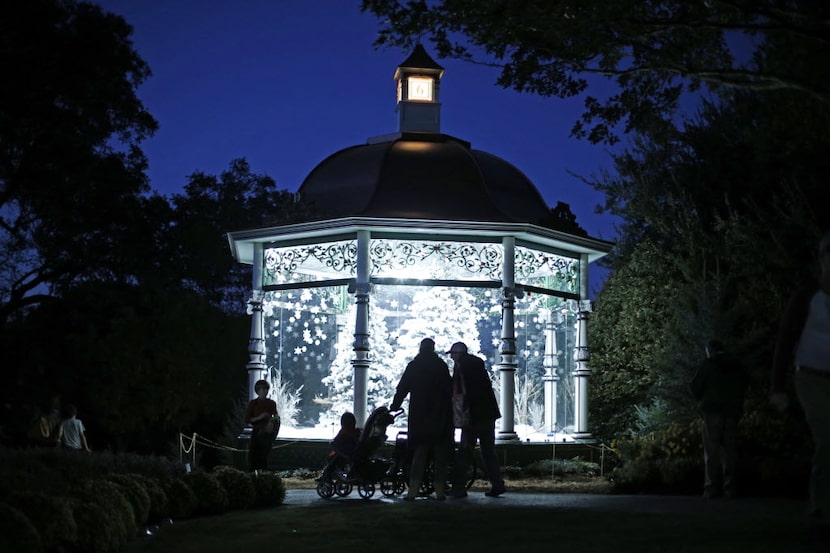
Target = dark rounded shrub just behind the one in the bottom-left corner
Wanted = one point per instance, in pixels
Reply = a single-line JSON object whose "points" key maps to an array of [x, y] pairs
{"points": [[51, 517]]}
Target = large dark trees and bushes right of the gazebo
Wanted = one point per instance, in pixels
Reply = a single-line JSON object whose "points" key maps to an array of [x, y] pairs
{"points": [[727, 241]]}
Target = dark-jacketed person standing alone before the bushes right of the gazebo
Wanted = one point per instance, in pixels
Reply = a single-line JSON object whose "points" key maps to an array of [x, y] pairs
{"points": [[719, 386]]}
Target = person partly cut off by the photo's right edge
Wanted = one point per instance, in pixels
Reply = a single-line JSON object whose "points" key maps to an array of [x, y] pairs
{"points": [[804, 340]]}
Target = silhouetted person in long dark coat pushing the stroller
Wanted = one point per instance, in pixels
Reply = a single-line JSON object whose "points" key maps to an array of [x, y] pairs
{"points": [[427, 381]]}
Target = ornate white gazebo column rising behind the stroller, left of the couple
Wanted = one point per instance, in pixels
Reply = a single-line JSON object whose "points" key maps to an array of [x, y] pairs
{"points": [[360, 362]]}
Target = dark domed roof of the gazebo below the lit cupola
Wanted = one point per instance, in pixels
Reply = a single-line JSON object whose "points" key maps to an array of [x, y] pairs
{"points": [[417, 175]]}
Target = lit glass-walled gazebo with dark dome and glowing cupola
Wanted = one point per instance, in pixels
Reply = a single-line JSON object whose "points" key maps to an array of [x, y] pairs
{"points": [[420, 233]]}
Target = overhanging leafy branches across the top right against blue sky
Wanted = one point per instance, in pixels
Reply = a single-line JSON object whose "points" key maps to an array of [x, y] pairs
{"points": [[654, 53]]}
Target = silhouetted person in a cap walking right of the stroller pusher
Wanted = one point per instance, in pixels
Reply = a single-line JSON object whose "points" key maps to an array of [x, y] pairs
{"points": [[470, 375]]}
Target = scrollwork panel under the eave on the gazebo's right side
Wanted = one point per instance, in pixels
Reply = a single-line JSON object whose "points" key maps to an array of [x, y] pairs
{"points": [[546, 270]]}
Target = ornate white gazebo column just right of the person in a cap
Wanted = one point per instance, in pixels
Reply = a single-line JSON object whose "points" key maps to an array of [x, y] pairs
{"points": [[507, 365]]}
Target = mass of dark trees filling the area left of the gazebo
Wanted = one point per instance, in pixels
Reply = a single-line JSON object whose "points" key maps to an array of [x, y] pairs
{"points": [[112, 297]]}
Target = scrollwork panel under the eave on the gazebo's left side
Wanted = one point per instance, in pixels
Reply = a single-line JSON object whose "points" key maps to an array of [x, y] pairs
{"points": [[311, 263]]}
